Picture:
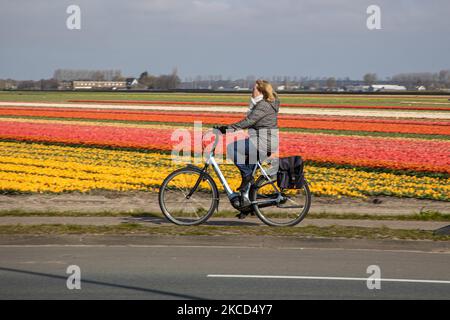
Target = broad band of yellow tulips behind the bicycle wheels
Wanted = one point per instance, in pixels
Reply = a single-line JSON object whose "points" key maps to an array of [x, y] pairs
{"points": [[34, 167]]}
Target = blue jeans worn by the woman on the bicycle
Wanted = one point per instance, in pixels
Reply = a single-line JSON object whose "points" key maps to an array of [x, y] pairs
{"points": [[244, 155]]}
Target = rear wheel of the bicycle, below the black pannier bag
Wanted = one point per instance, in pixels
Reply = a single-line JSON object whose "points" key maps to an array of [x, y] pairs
{"points": [[289, 212]]}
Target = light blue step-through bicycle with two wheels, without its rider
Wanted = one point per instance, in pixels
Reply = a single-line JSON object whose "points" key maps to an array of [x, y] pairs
{"points": [[189, 196]]}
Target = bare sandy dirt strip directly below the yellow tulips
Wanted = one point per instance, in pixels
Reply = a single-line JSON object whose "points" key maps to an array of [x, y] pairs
{"points": [[129, 202]]}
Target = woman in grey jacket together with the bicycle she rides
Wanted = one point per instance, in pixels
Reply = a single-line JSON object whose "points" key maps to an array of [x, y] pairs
{"points": [[189, 196]]}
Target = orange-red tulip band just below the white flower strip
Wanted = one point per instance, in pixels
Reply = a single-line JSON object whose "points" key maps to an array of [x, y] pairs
{"points": [[285, 121]]}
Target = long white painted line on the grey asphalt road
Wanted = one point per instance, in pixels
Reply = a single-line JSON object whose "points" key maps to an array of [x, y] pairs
{"points": [[240, 276]]}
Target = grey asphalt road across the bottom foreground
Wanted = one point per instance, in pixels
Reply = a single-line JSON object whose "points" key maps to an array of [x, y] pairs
{"points": [[219, 272]]}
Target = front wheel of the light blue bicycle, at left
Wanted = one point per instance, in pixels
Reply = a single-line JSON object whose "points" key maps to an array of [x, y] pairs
{"points": [[178, 206]]}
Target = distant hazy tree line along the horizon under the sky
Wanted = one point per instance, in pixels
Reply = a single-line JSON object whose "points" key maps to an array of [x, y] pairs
{"points": [[147, 81]]}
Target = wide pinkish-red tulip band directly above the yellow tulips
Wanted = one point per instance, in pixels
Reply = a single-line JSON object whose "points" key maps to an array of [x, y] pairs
{"points": [[395, 153]]}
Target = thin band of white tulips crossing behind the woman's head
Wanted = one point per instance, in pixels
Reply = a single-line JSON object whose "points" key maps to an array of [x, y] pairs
{"points": [[303, 111]]}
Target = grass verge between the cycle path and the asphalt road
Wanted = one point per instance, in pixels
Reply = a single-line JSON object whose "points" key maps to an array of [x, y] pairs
{"points": [[304, 232]]}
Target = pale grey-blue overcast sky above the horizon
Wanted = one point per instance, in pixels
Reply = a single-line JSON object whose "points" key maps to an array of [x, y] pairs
{"points": [[232, 38]]}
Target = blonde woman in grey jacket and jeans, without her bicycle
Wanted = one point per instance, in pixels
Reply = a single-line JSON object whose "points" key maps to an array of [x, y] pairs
{"points": [[262, 124]]}
